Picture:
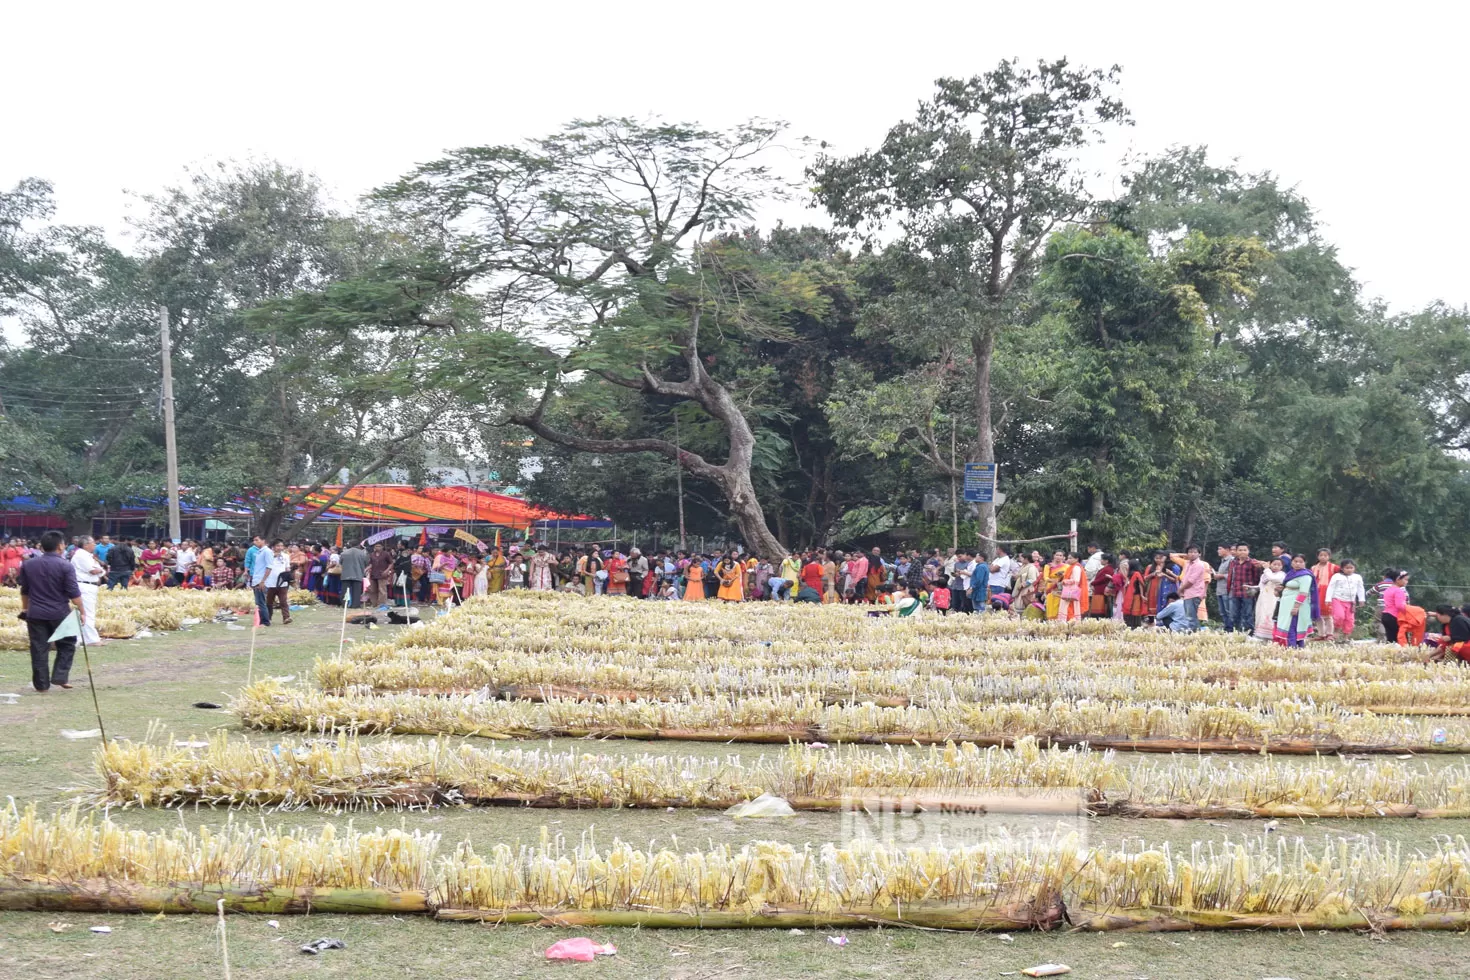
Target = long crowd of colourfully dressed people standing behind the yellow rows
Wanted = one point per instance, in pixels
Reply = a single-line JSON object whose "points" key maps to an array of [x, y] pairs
{"points": [[1284, 599]]}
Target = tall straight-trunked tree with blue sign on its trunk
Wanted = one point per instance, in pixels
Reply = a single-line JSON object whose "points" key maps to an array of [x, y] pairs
{"points": [[975, 184]]}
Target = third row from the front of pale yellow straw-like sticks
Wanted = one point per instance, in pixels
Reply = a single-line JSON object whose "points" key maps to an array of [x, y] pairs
{"points": [[1288, 727]]}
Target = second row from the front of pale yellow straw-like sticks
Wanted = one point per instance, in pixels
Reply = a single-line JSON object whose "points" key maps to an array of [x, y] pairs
{"points": [[348, 774]]}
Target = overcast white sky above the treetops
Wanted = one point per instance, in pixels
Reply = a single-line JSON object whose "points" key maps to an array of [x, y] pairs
{"points": [[1362, 108]]}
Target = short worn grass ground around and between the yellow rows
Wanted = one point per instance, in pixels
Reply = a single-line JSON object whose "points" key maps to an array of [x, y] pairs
{"points": [[158, 680]]}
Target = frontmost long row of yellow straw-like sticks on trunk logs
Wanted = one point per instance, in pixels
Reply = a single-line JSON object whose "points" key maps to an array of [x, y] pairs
{"points": [[74, 865]]}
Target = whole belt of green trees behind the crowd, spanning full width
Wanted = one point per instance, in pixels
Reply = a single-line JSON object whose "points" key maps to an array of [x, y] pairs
{"points": [[600, 315]]}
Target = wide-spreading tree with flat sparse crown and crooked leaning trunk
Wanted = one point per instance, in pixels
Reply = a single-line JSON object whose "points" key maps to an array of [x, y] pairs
{"points": [[587, 248]]}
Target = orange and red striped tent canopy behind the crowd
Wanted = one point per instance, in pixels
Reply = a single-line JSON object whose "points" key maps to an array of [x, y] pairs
{"points": [[404, 505]]}
